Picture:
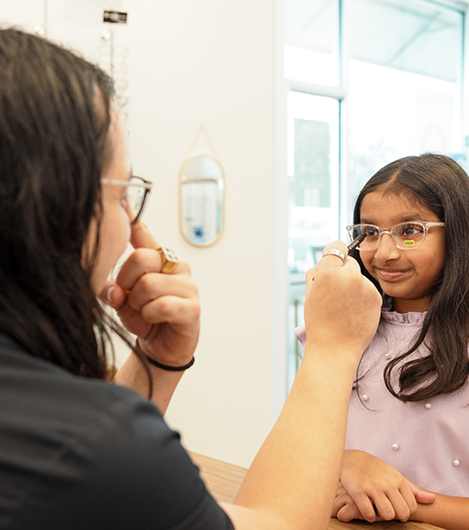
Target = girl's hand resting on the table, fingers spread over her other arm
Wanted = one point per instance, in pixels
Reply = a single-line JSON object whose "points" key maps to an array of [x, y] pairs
{"points": [[378, 489]]}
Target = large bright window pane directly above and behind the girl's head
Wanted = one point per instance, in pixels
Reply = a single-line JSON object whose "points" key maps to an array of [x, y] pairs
{"points": [[404, 85]]}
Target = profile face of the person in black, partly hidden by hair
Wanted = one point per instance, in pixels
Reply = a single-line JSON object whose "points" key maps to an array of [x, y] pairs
{"points": [[115, 222]]}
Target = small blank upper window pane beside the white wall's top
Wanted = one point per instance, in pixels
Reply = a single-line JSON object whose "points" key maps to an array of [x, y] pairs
{"points": [[312, 41]]}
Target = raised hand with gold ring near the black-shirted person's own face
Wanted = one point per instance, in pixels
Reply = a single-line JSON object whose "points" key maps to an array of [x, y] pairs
{"points": [[161, 309]]}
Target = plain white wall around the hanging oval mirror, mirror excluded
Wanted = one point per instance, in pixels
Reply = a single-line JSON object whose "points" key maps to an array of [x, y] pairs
{"points": [[212, 61]]}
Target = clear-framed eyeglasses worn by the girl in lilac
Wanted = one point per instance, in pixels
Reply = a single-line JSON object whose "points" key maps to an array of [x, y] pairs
{"points": [[406, 236]]}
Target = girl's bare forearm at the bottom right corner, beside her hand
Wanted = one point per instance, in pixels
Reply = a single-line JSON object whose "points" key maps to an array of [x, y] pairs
{"points": [[451, 513]]}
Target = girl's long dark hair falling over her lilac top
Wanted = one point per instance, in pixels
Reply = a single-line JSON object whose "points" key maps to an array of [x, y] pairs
{"points": [[440, 184]]}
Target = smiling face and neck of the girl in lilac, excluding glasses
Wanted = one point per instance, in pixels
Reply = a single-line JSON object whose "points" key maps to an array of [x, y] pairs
{"points": [[406, 275]]}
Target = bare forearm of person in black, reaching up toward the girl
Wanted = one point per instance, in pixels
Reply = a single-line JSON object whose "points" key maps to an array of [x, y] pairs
{"points": [[294, 477]]}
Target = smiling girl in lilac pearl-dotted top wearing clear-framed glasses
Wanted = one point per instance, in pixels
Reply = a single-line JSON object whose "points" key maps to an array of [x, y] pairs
{"points": [[409, 417]]}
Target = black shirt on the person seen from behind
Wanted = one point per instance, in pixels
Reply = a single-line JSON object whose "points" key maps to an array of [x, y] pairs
{"points": [[78, 453]]}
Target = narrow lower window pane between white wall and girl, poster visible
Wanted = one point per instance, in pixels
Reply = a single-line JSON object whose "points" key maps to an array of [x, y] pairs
{"points": [[313, 172]]}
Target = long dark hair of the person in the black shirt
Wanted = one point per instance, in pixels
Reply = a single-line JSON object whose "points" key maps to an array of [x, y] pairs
{"points": [[54, 146]]}
